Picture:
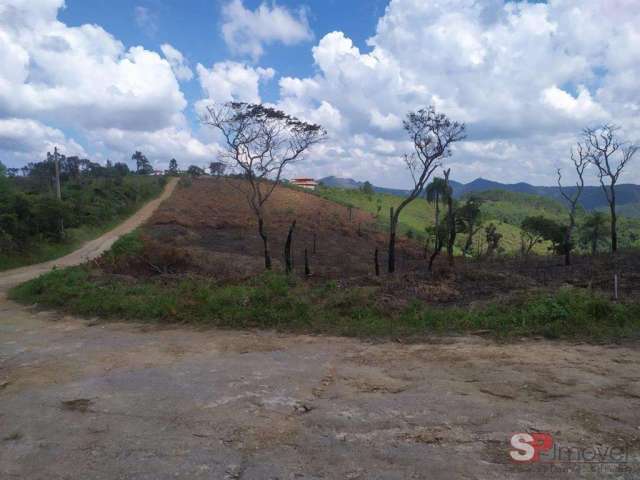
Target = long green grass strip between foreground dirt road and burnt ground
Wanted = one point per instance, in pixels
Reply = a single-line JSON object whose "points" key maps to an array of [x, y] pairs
{"points": [[275, 301]]}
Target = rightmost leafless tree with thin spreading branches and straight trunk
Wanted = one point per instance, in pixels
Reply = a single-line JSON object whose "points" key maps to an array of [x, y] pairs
{"points": [[610, 156]]}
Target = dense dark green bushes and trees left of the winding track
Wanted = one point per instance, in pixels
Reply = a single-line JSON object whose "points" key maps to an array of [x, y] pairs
{"points": [[35, 226]]}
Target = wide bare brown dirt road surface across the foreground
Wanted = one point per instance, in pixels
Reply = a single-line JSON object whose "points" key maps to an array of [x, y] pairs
{"points": [[87, 400]]}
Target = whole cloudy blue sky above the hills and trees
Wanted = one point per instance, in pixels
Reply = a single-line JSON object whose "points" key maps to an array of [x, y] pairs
{"points": [[103, 78]]}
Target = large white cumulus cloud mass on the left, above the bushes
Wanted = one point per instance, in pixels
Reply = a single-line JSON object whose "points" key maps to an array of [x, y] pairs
{"points": [[57, 78]]}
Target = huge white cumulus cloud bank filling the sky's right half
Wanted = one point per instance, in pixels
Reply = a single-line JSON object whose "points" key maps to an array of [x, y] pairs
{"points": [[526, 78]]}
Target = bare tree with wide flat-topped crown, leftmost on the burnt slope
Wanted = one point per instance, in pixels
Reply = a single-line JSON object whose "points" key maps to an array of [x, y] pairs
{"points": [[260, 142]]}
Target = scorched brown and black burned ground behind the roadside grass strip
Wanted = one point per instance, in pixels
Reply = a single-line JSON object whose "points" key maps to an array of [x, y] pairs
{"points": [[207, 228]]}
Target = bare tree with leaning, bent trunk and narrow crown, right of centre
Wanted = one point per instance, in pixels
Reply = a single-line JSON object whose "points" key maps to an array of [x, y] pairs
{"points": [[432, 135]]}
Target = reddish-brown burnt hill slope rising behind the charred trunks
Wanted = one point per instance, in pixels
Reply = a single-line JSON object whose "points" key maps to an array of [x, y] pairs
{"points": [[213, 229]]}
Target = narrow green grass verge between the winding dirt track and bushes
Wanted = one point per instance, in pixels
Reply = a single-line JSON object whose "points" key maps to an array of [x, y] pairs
{"points": [[43, 250]]}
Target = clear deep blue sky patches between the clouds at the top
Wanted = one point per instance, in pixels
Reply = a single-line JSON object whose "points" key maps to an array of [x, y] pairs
{"points": [[193, 27]]}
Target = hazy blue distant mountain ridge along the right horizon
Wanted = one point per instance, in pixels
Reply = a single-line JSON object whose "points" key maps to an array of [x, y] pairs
{"points": [[593, 198]]}
